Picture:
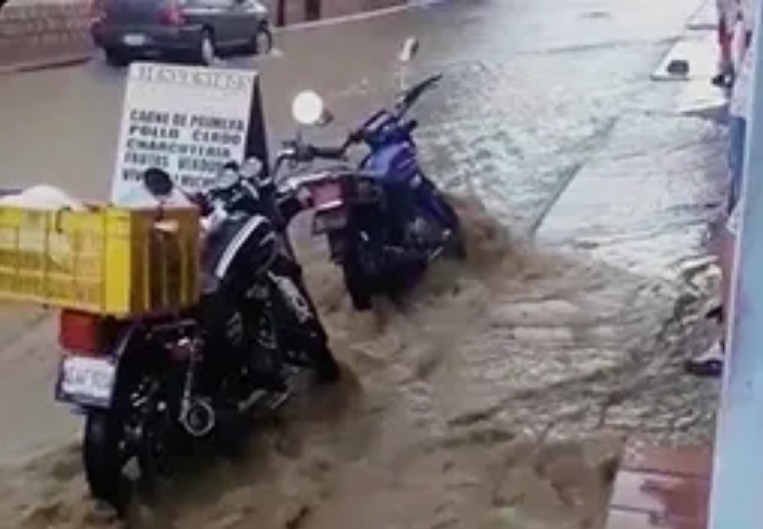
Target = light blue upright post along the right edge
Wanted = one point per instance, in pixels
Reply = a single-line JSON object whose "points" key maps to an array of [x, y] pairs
{"points": [[736, 499]]}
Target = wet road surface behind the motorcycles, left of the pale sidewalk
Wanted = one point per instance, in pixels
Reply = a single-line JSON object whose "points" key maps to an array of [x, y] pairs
{"points": [[532, 92]]}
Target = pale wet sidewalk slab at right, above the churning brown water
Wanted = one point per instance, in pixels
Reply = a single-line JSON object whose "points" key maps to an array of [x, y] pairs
{"points": [[671, 181]]}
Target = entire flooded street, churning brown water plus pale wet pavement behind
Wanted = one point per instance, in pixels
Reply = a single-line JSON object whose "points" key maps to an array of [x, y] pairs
{"points": [[502, 394]]}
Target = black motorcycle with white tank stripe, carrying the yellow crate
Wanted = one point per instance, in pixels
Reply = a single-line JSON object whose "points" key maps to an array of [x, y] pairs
{"points": [[168, 381]]}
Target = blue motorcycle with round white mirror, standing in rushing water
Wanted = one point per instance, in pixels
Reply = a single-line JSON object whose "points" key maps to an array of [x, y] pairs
{"points": [[384, 219]]}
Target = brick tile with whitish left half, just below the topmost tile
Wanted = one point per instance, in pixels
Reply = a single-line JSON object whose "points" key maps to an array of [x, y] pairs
{"points": [[661, 494]]}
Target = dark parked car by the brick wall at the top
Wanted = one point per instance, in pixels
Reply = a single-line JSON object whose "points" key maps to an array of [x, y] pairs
{"points": [[198, 30]]}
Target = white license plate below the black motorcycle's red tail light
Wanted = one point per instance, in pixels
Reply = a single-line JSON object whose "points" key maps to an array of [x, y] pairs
{"points": [[86, 381]]}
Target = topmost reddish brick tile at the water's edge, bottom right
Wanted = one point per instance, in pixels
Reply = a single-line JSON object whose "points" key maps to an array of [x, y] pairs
{"points": [[686, 461]]}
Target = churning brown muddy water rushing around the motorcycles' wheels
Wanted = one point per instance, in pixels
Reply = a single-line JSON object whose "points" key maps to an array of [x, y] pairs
{"points": [[500, 396]]}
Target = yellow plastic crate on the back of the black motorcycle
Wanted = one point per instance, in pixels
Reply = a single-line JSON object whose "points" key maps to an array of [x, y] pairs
{"points": [[108, 261]]}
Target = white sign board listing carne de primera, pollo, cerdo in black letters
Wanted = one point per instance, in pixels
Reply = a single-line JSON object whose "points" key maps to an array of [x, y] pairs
{"points": [[186, 120]]}
